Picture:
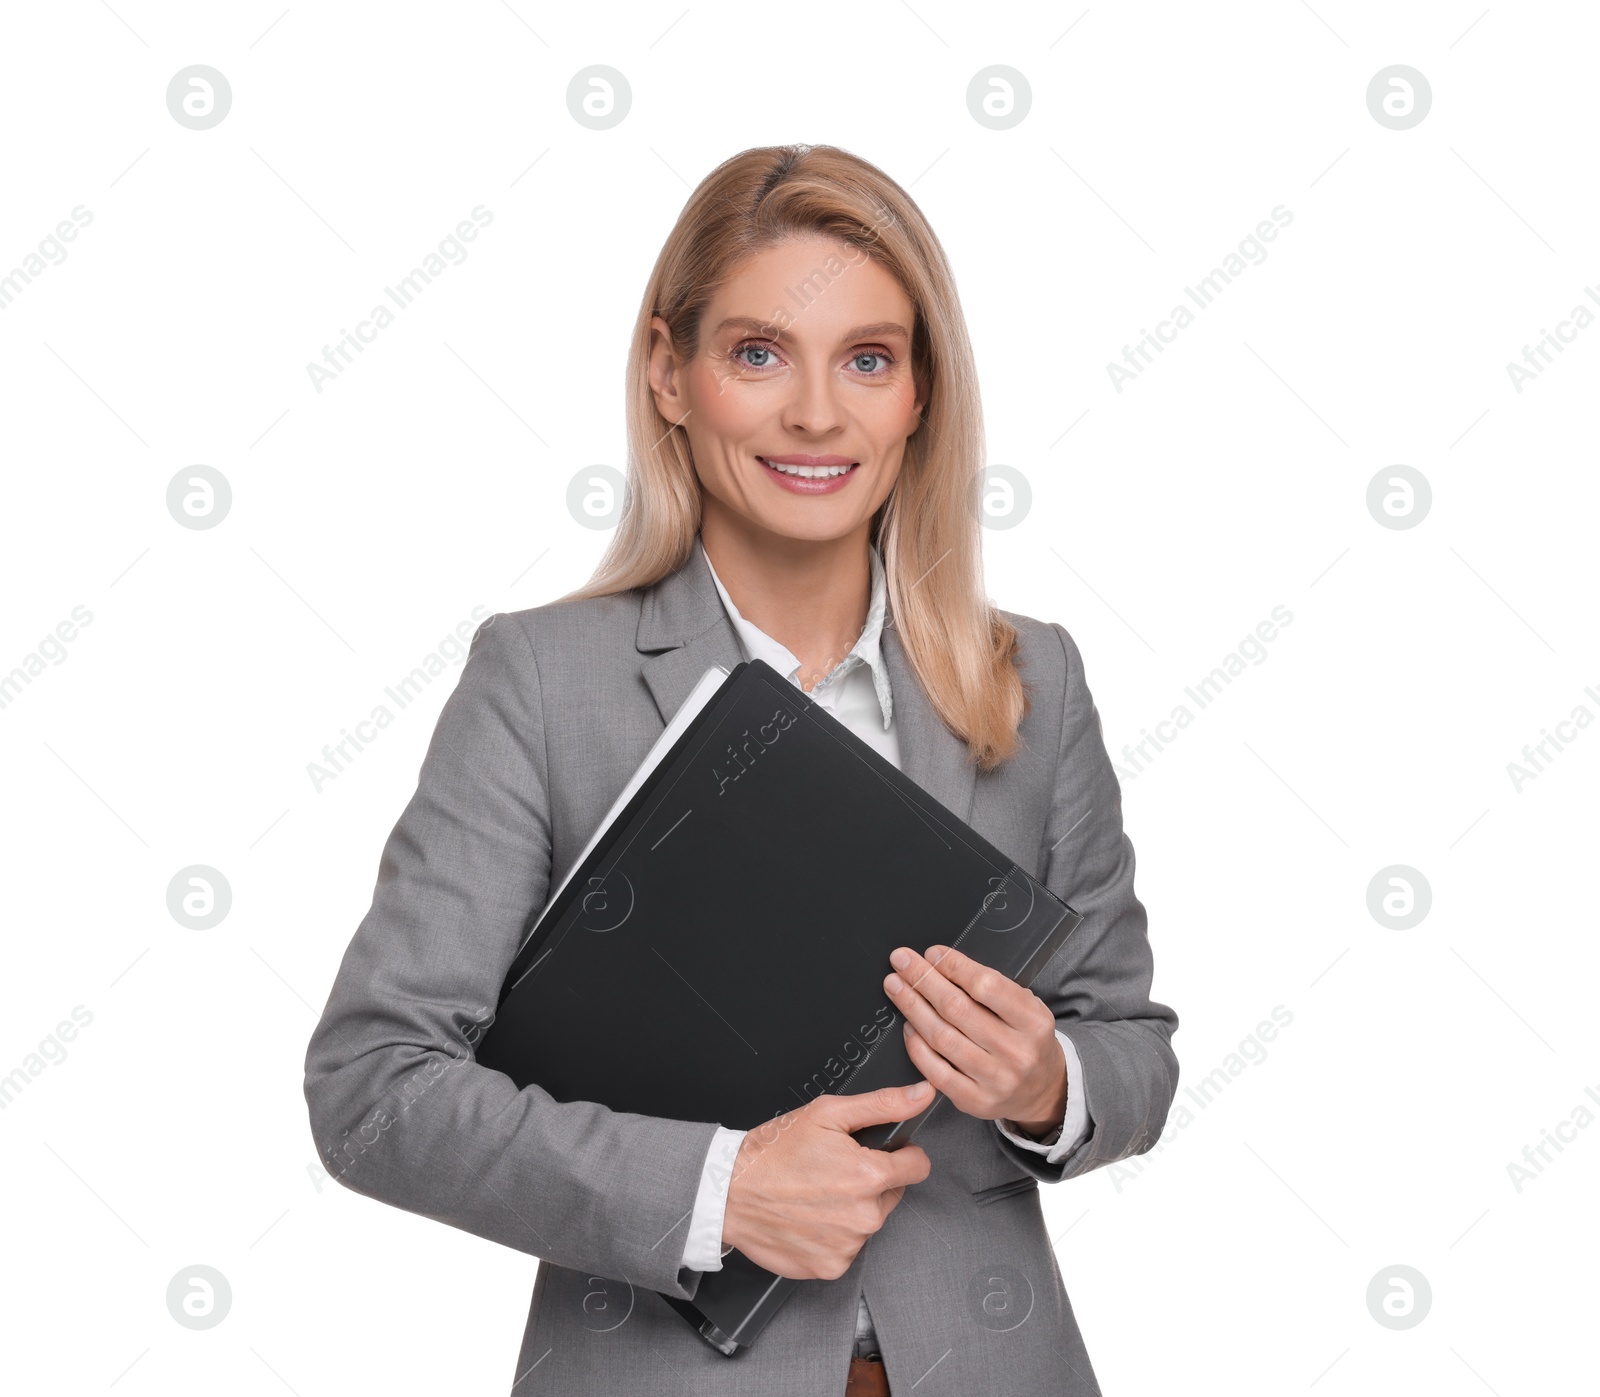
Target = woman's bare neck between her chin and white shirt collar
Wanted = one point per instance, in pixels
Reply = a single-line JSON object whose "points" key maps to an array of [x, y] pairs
{"points": [[810, 596]]}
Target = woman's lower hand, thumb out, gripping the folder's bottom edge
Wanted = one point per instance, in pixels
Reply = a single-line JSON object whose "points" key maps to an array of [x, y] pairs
{"points": [[806, 1198]]}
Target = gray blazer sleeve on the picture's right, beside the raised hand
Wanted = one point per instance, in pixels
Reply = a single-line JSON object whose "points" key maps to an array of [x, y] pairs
{"points": [[1098, 985]]}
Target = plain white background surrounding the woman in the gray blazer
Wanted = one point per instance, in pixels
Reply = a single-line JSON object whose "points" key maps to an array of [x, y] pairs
{"points": [[1169, 519]]}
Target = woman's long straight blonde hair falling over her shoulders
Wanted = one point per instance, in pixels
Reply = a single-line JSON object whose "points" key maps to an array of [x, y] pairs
{"points": [[929, 530]]}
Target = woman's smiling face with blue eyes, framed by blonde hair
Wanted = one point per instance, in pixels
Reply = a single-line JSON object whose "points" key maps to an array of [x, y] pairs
{"points": [[798, 417]]}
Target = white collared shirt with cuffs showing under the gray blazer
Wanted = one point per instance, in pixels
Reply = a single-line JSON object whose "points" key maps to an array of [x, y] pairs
{"points": [[857, 692]]}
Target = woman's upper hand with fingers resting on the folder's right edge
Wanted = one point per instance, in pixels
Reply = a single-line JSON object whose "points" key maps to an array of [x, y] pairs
{"points": [[980, 1038]]}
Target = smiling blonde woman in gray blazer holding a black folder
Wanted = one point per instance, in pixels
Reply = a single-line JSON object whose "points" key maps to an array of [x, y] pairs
{"points": [[804, 487]]}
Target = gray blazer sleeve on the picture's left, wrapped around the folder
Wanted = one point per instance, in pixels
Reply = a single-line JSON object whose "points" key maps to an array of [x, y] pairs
{"points": [[399, 1108]]}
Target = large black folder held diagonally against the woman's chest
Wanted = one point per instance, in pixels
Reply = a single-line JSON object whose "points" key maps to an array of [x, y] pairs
{"points": [[719, 953]]}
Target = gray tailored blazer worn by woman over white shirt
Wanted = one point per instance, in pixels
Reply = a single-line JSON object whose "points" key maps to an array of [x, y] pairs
{"points": [[554, 710]]}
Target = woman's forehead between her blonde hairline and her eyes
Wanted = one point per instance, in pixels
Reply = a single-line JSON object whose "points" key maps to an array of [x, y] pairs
{"points": [[812, 289]]}
